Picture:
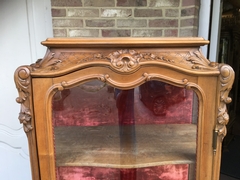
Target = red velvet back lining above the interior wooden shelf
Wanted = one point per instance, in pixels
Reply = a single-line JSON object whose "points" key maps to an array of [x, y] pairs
{"points": [[77, 110]]}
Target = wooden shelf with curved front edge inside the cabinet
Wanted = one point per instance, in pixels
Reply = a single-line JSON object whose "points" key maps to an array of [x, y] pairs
{"points": [[129, 147]]}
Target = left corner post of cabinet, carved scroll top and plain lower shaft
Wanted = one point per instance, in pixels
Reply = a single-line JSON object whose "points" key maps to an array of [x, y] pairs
{"points": [[22, 78]]}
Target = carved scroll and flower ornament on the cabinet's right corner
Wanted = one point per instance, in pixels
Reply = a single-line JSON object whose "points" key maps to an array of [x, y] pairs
{"points": [[226, 81]]}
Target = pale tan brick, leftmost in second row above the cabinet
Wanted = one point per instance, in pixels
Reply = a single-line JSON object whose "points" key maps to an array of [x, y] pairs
{"points": [[67, 23]]}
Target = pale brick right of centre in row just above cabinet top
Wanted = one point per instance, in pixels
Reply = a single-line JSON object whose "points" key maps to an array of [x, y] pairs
{"points": [[147, 33]]}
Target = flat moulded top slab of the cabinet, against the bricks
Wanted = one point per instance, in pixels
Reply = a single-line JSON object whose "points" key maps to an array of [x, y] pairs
{"points": [[125, 42]]}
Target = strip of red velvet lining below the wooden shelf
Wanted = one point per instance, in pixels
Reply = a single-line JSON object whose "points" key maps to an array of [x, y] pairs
{"points": [[167, 172]]}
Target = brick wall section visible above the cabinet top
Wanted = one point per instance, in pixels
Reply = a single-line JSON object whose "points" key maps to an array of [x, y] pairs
{"points": [[125, 18]]}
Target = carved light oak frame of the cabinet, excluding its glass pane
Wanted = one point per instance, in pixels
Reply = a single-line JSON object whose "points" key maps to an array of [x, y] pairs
{"points": [[124, 63]]}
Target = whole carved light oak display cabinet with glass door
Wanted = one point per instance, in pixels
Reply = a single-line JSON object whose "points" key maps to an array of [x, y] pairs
{"points": [[124, 108]]}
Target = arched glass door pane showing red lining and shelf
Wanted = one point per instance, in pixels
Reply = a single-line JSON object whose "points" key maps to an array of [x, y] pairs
{"points": [[102, 132]]}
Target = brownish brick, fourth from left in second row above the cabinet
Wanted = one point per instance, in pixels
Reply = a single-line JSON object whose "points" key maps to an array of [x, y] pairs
{"points": [[163, 23]]}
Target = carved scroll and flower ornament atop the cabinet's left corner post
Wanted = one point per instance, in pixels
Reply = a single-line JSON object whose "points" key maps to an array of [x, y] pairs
{"points": [[23, 83]]}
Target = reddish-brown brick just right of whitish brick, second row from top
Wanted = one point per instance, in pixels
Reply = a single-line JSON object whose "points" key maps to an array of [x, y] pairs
{"points": [[148, 12]]}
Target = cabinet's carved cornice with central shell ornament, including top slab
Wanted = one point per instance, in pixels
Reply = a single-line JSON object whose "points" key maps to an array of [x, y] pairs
{"points": [[123, 55]]}
